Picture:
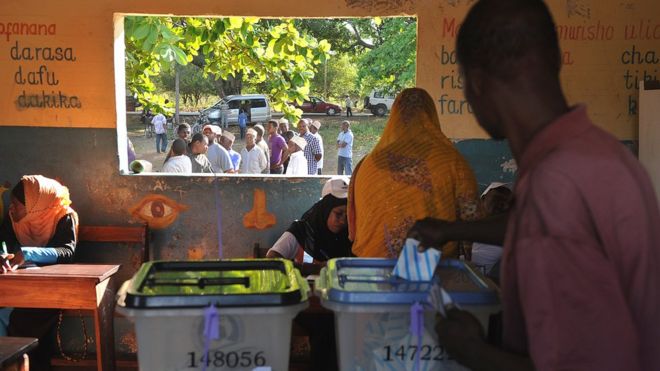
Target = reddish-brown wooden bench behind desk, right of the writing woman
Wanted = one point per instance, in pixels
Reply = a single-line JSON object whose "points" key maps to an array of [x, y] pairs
{"points": [[101, 244]]}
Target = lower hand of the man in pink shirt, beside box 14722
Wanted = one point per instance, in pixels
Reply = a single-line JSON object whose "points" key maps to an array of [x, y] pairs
{"points": [[460, 333]]}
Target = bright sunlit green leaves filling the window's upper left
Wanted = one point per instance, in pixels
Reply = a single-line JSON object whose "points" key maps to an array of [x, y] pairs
{"points": [[231, 48]]}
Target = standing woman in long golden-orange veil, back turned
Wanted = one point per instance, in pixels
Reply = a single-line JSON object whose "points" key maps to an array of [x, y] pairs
{"points": [[413, 172]]}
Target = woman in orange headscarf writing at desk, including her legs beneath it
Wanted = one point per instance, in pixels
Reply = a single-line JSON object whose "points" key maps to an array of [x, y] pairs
{"points": [[42, 229]]}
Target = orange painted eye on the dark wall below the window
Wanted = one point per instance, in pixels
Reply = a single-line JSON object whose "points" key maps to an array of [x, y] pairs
{"points": [[157, 210]]}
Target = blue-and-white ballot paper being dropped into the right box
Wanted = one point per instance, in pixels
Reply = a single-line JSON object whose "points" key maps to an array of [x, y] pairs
{"points": [[414, 265]]}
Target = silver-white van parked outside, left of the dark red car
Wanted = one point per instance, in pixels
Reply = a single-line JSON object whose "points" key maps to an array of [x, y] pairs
{"points": [[256, 106]]}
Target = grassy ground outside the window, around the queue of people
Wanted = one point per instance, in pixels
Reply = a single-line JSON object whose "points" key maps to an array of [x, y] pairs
{"points": [[366, 130]]}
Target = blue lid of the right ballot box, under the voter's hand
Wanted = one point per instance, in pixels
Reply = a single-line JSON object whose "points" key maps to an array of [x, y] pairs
{"points": [[370, 281]]}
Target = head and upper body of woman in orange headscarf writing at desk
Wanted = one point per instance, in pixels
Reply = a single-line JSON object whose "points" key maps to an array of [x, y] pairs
{"points": [[42, 227]]}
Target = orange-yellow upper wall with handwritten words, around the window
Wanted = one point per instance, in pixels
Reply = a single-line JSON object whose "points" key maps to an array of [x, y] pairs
{"points": [[595, 70]]}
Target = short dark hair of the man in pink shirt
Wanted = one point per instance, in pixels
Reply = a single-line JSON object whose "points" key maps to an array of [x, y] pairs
{"points": [[497, 34]]}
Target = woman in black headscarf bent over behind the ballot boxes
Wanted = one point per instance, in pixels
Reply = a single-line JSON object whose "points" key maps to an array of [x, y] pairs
{"points": [[321, 233]]}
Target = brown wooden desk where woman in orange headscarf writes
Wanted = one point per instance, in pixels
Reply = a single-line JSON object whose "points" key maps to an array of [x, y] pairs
{"points": [[69, 286]]}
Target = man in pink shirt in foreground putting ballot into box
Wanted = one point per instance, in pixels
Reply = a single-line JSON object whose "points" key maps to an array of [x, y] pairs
{"points": [[581, 261]]}
